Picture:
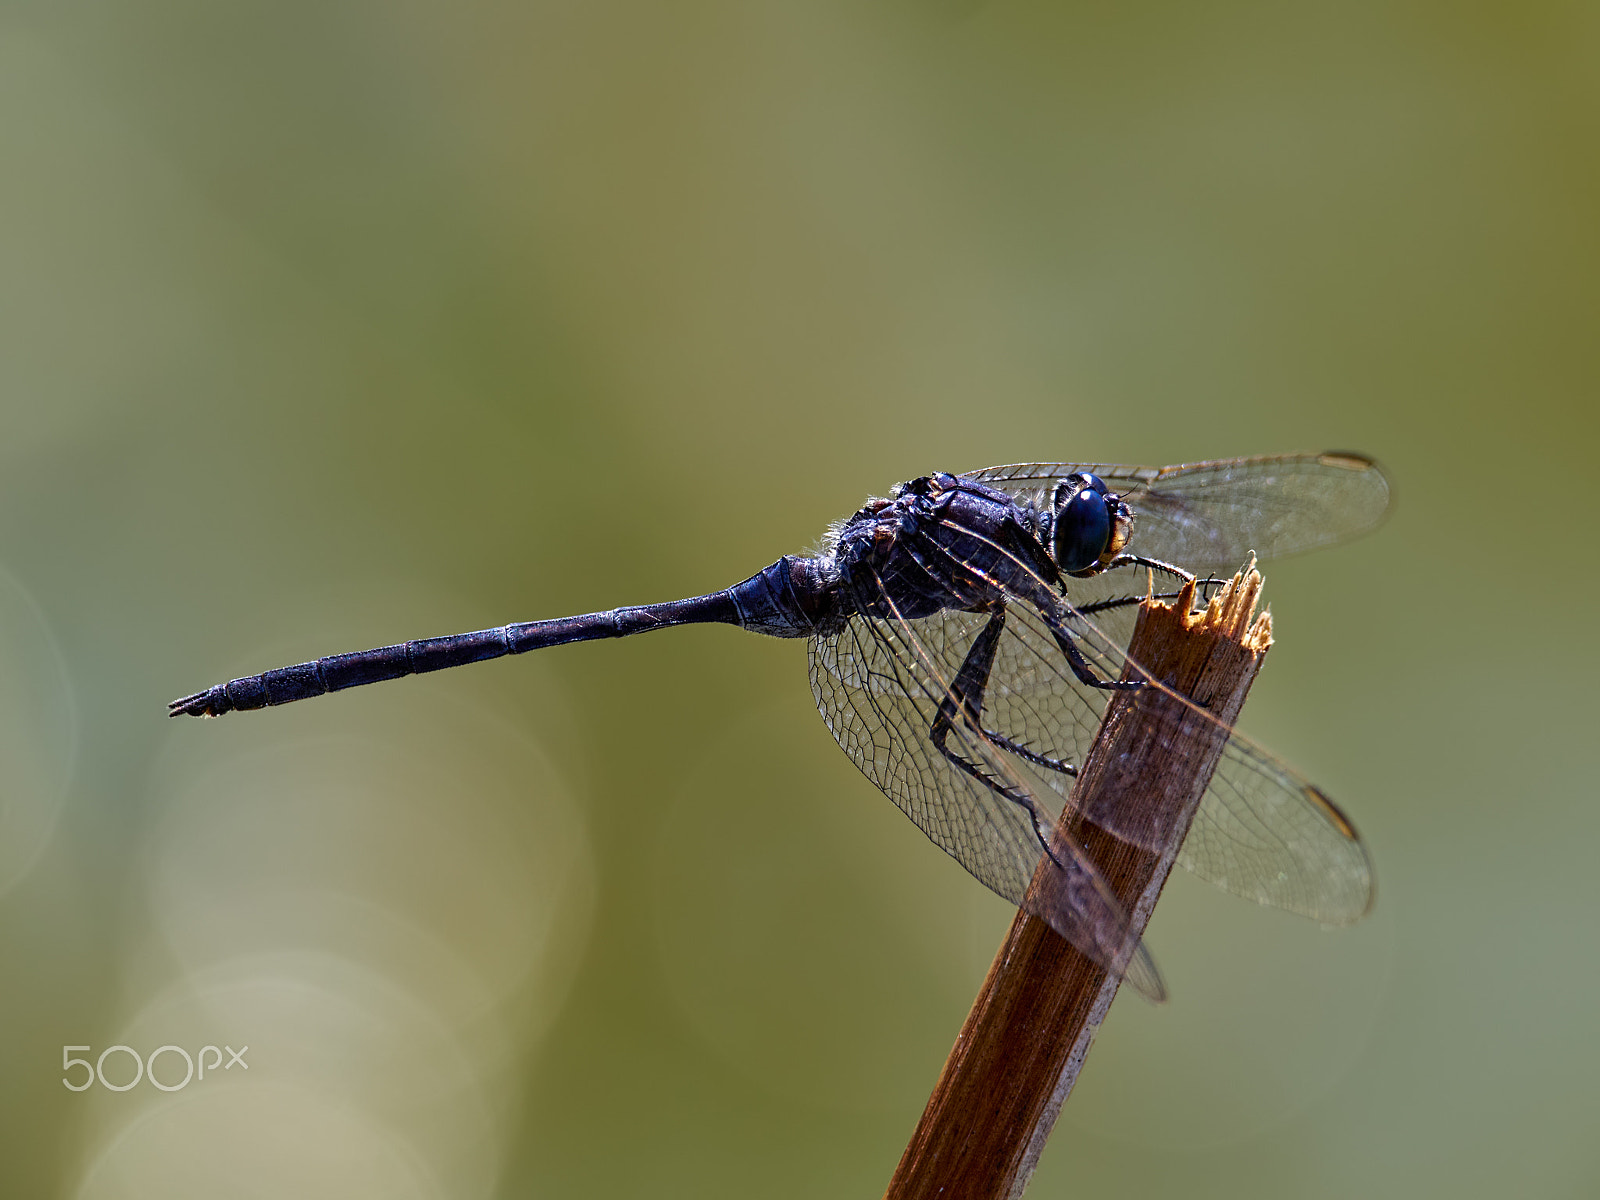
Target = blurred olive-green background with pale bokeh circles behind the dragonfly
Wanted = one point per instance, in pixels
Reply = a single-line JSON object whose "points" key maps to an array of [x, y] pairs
{"points": [[327, 326]]}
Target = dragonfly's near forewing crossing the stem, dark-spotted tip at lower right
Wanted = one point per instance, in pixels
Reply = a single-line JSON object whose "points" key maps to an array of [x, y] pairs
{"points": [[1263, 831]]}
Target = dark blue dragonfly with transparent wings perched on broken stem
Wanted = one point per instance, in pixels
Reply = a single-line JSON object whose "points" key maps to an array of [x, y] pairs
{"points": [[966, 634]]}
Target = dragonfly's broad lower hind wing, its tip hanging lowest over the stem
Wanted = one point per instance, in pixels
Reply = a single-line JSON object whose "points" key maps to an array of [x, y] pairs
{"points": [[879, 686]]}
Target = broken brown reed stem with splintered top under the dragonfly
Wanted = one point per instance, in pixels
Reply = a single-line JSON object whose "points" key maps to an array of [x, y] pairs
{"points": [[1042, 1004]]}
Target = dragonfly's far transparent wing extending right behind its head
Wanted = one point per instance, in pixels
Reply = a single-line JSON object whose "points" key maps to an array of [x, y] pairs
{"points": [[1210, 516]]}
